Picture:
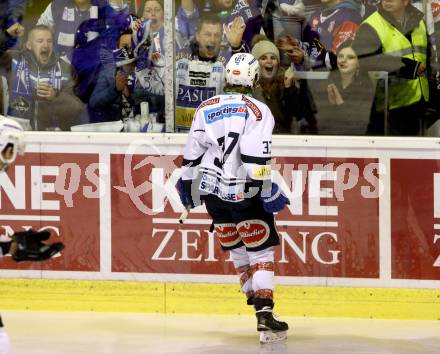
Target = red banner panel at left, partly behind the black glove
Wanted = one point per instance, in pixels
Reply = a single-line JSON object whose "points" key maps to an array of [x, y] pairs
{"points": [[31, 198]]}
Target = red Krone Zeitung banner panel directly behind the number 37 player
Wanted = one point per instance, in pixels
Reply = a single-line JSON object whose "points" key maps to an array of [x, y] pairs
{"points": [[330, 229]]}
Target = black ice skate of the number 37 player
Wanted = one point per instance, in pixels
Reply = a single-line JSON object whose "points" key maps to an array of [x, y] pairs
{"points": [[271, 330]]}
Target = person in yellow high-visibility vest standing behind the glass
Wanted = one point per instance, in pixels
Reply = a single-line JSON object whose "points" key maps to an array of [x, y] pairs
{"points": [[394, 39]]}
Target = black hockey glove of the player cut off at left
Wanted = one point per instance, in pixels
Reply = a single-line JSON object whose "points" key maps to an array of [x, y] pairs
{"points": [[28, 246]]}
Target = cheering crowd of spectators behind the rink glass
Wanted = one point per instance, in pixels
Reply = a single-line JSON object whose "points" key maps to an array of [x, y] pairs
{"points": [[351, 67]]}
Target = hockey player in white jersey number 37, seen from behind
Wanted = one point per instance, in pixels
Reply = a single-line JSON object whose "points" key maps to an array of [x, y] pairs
{"points": [[227, 166]]}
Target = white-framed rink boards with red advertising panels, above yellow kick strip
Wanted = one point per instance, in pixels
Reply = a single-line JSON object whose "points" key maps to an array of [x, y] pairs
{"points": [[365, 217]]}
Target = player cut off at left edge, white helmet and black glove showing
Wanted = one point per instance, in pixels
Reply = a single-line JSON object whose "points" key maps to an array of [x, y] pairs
{"points": [[26, 245]]}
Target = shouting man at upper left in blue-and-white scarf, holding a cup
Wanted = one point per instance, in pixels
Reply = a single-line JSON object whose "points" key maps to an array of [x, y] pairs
{"points": [[40, 85]]}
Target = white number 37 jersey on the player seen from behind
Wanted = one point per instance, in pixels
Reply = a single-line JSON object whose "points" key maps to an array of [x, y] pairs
{"points": [[229, 144]]}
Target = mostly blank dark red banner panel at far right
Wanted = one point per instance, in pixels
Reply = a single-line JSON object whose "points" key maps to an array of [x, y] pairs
{"points": [[415, 218]]}
